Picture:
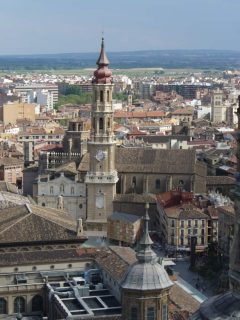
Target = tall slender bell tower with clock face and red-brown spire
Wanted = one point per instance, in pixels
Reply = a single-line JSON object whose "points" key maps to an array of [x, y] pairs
{"points": [[102, 177]]}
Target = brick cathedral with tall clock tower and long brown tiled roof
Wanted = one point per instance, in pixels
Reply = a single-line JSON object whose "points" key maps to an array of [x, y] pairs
{"points": [[106, 172]]}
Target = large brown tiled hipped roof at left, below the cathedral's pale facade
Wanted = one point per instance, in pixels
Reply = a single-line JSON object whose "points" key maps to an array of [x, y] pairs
{"points": [[29, 223]]}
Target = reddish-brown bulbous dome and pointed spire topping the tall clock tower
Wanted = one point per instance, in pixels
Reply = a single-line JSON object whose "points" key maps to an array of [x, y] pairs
{"points": [[102, 75]]}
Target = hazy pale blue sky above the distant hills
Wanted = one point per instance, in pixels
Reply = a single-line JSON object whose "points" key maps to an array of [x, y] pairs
{"points": [[63, 26]]}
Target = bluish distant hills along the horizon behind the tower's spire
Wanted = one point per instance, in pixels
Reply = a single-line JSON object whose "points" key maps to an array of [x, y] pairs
{"points": [[199, 59]]}
